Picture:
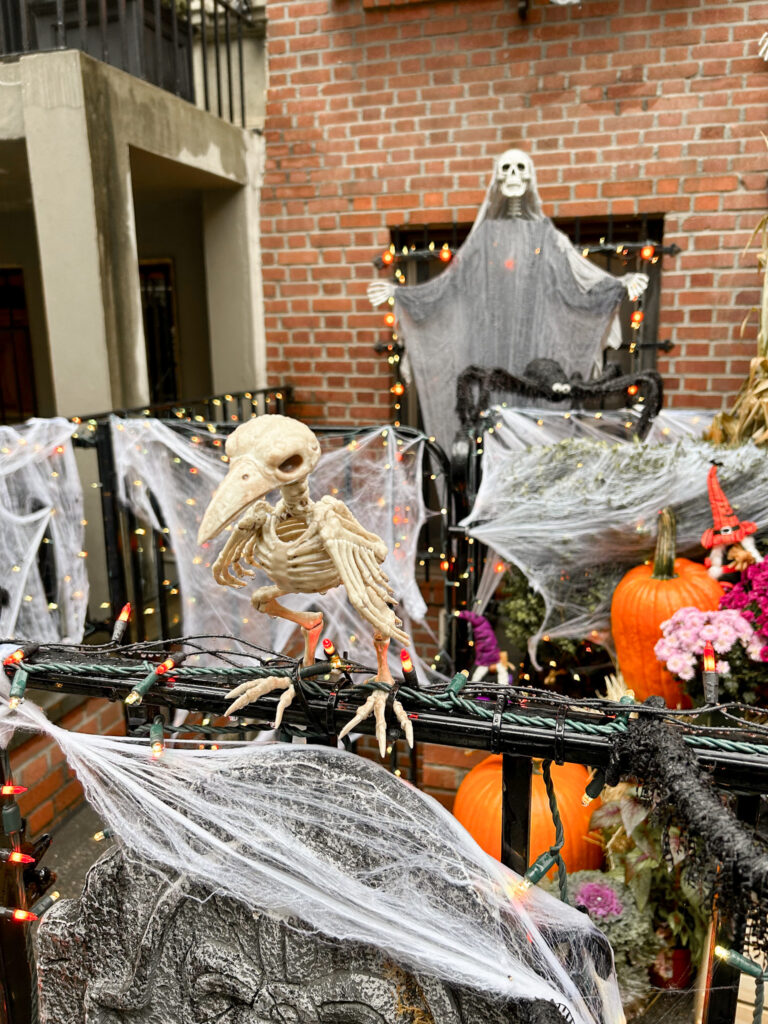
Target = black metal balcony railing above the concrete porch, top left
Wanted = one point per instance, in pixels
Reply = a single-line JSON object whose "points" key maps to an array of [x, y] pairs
{"points": [[169, 44]]}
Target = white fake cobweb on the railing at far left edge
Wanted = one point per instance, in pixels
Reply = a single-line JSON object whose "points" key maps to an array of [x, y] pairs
{"points": [[44, 582]]}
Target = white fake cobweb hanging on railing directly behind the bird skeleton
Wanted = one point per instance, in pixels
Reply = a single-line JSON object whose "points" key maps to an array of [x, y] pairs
{"points": [[167, 477]]}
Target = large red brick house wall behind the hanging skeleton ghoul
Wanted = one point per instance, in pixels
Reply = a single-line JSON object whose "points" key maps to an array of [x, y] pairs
{"points": [[383, 114]]}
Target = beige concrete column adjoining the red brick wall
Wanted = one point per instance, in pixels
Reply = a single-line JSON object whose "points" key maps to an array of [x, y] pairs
{"points": [[231, 227]]}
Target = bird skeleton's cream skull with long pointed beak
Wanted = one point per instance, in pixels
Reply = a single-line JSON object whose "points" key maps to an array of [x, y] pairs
{"points": [[266, 453]]}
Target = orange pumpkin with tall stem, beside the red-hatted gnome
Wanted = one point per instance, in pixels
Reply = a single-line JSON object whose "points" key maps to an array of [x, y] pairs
{"points": [[647, 598]]}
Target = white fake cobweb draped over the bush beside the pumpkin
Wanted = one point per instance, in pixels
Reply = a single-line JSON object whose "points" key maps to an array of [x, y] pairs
{"points": [[571, 501]]}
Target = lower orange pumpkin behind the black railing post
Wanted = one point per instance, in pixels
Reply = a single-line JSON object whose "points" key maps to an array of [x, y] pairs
{"points": [[479, 807]]}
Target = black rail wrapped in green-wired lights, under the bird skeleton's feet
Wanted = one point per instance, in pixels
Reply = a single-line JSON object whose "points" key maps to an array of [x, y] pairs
{"points": [[533, 722]]}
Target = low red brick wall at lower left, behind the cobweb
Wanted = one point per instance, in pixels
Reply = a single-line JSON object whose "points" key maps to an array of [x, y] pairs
{"points": [[39, 764]]}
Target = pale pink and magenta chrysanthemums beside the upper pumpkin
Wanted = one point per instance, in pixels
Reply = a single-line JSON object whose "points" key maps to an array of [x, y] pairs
{"points": [[732, 630]]}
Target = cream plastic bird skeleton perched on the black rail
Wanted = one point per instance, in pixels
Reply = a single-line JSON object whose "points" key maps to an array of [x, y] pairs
{"points": [[305, 547]]}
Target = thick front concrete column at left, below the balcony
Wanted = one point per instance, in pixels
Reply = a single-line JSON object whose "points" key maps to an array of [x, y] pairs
{"points": [[84, 215]]}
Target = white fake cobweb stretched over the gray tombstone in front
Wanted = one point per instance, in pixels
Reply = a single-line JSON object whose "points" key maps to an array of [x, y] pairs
{"points": [[340, 846]]}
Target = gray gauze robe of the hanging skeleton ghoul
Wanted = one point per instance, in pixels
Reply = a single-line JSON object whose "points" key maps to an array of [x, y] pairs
{"points": [[517, 291]]}
